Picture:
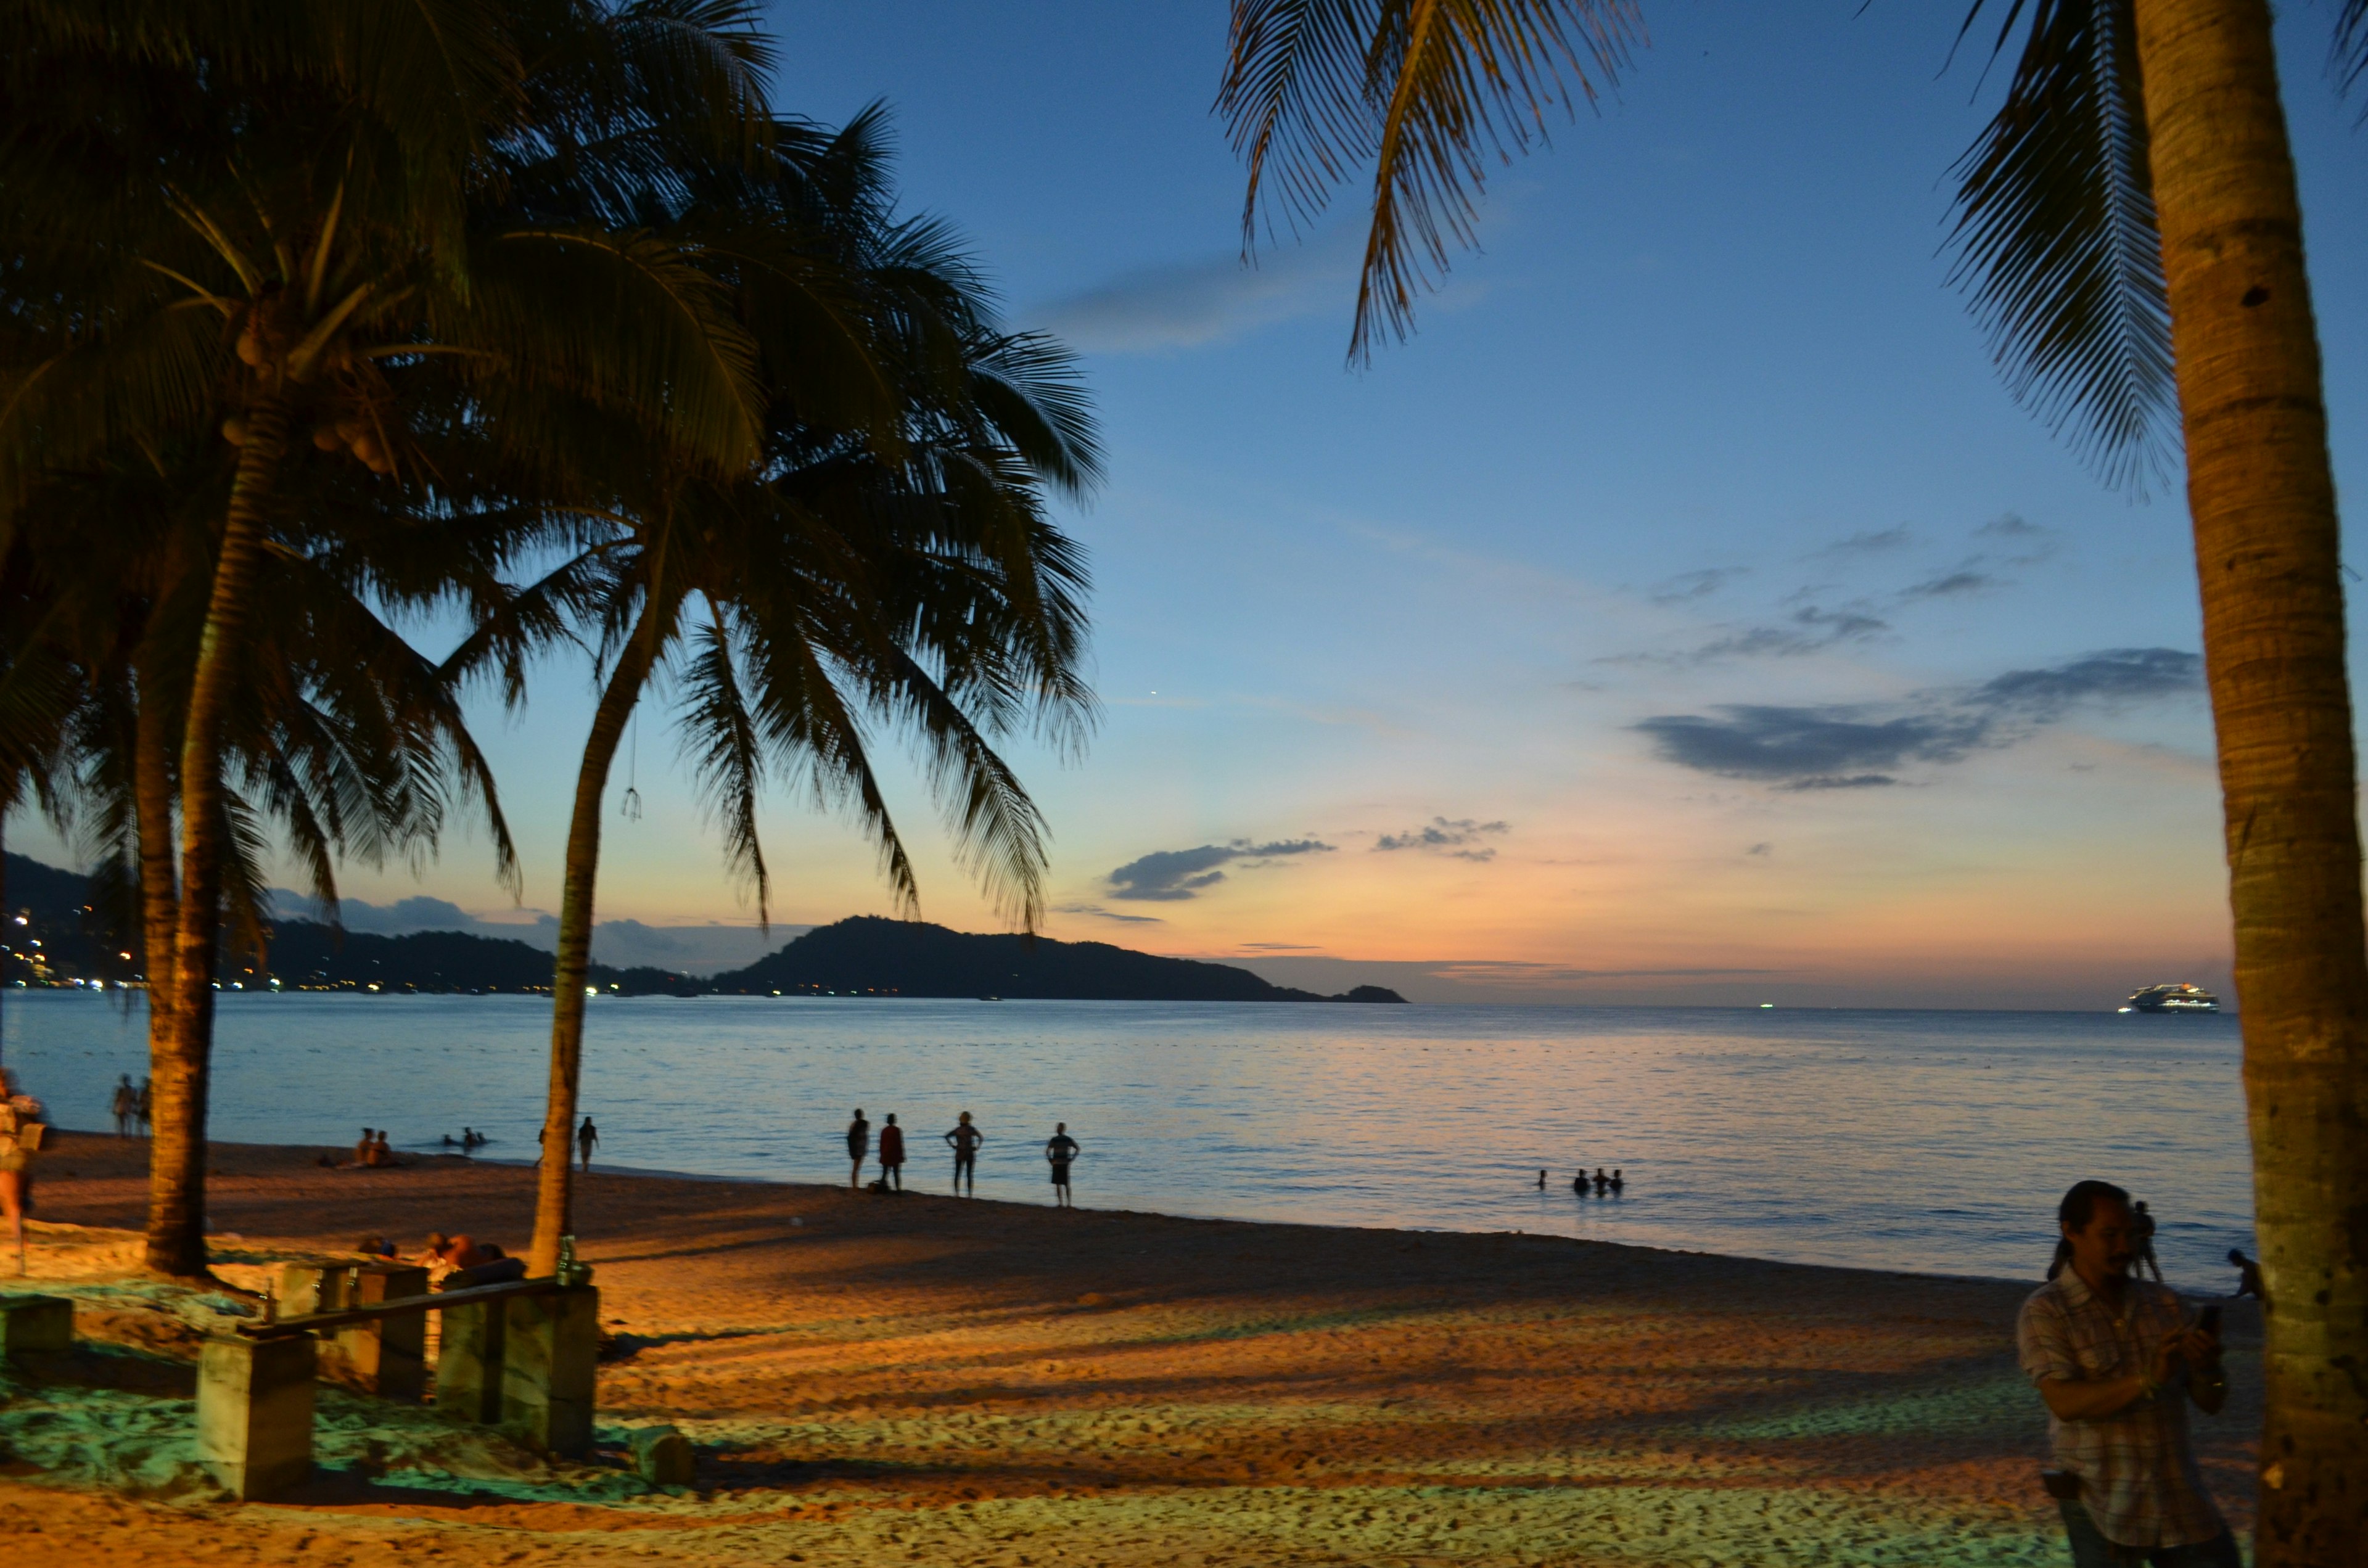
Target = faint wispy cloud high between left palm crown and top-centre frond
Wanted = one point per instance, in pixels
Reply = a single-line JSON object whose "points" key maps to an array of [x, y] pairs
{"points": [[1204, 302]]}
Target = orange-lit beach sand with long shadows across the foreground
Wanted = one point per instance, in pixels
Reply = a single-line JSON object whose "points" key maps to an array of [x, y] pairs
{"points": [[970, 1382]]}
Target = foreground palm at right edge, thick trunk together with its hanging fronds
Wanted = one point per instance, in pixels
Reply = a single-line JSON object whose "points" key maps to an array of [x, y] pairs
{"points": [[2132, 238]]}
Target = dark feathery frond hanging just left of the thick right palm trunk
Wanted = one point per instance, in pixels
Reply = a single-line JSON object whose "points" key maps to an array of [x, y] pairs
{"points": [[2057, 240]]}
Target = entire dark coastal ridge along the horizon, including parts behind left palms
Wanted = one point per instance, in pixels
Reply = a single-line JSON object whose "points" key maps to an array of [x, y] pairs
{"points": [[70, 934]]}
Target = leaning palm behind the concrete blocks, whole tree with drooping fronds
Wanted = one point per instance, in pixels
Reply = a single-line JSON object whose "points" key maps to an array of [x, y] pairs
{"points": [[851, 577]]}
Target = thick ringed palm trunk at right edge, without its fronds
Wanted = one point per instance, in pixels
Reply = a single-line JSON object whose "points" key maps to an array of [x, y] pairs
{"points": [[2263, 503]]}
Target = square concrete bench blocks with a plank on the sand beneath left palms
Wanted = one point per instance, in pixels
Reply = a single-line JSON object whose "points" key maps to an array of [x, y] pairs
{"points": [[515, 1356]]}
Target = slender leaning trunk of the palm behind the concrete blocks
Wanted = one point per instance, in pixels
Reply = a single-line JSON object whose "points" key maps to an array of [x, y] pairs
{"points": [[555, 1188]]}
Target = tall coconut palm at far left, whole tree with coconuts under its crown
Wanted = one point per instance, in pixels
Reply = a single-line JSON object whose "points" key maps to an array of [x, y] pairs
{"points": [[300, 231]]}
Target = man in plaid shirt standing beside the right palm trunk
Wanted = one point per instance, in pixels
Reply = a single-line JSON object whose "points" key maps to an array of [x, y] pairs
{"points": [[2118, 1363]]}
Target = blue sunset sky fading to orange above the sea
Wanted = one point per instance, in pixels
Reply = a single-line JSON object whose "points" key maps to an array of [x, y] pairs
{"points": [[1685, 615]]}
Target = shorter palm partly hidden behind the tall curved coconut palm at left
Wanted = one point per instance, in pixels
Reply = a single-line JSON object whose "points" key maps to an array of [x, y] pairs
{"points": [[345, 740]]}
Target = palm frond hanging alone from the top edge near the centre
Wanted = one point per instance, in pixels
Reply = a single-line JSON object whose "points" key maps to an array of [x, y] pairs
{"points": [[1424, 89]]}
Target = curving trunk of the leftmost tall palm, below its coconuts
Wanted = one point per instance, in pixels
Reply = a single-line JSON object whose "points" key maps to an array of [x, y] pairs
{"points": [[179, 1060]]}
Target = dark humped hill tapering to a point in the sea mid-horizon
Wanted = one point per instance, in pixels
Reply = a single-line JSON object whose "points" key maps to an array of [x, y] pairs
{"points": [[870, 956]]}
